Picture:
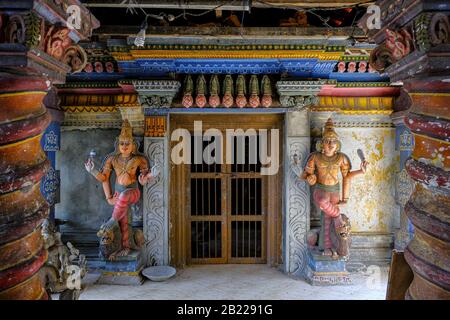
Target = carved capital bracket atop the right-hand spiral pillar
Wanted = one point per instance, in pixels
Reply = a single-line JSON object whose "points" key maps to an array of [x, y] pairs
{"points": [[411, 42]]}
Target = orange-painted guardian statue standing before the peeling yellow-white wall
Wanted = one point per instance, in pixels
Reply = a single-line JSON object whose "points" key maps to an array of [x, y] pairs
{"points": [[322, 170]]}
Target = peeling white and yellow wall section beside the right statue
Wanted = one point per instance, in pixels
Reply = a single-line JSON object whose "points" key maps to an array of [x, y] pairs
{"points": [[372, 206]]}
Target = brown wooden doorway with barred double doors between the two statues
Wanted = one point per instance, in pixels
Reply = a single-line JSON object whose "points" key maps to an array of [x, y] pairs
{"points": [[225, 208]]}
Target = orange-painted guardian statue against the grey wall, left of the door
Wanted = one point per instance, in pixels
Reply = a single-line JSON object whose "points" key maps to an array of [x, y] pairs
{"points": [[117, 237]]}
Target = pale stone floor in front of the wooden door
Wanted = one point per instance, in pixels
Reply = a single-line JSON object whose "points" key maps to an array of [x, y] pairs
{"points": [[241, 282]]}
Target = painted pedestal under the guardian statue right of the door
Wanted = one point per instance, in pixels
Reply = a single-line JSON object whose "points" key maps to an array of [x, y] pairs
{"points": [[325, 271]]}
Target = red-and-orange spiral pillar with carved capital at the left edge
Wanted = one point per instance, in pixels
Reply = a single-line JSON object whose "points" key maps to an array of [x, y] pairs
{"points": [[34, 53]]}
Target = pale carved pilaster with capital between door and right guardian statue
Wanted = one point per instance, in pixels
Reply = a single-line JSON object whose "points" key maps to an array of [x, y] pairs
{"points": [[296, 96]]}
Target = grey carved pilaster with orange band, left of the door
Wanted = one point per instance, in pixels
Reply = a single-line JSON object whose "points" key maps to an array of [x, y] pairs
{"points": [[156, 97]]}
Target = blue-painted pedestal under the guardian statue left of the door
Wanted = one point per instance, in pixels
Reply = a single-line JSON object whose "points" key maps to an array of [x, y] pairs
{"points": [[122, 271]]}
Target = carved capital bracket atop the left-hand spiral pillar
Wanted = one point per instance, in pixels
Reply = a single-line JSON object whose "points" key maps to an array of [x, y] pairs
{"points": [[41, 38]]}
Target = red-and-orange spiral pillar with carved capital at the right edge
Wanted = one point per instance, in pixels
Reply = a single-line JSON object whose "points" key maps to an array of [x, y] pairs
{"points": [[422, 62]]}
